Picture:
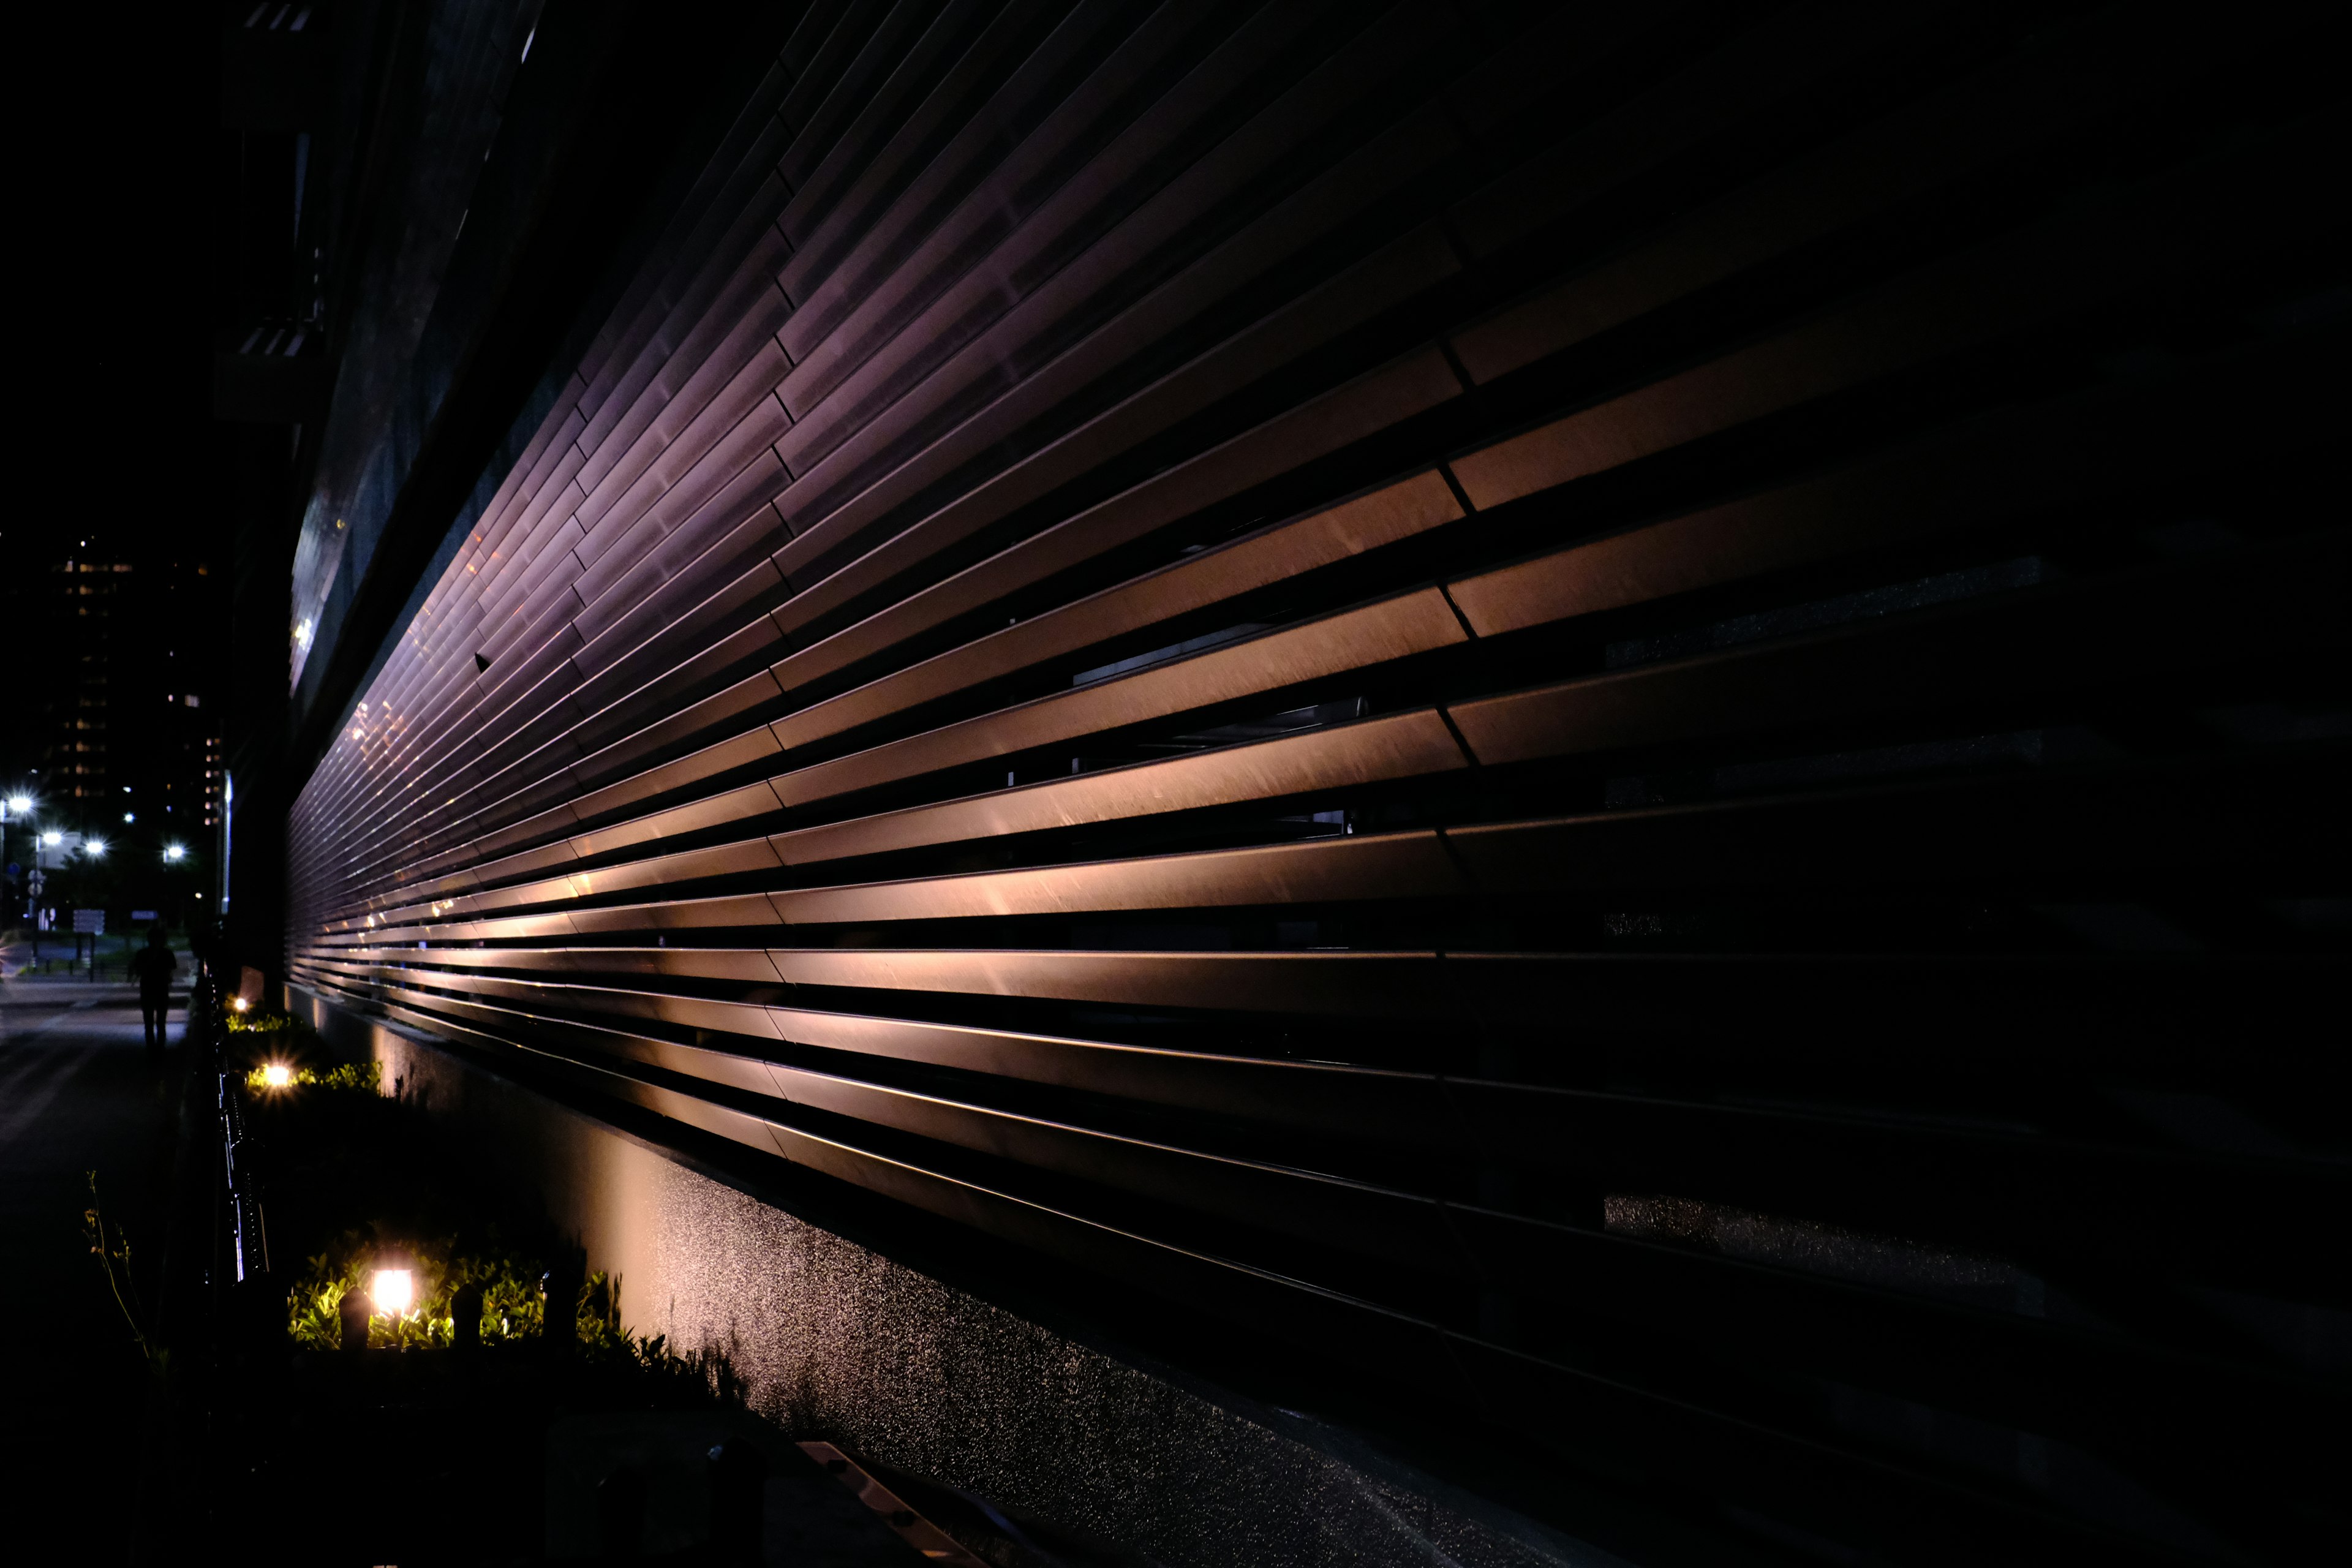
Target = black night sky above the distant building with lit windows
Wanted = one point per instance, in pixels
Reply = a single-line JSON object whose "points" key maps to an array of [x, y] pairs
{"points": [[119, 272]]}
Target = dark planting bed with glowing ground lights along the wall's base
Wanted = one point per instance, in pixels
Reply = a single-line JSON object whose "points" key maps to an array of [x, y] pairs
{"points": [[434, 1419]]}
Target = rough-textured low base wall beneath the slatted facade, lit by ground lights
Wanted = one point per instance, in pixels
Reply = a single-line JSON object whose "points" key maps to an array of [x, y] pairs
{"points": [[834, 1339]]}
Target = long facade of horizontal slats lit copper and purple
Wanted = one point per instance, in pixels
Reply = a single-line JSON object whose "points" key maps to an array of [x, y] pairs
{"points": [[1633, 721]]}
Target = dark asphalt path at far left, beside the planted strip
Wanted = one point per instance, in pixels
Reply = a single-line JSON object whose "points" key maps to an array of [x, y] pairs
{"points": [[79, 1092]]}
